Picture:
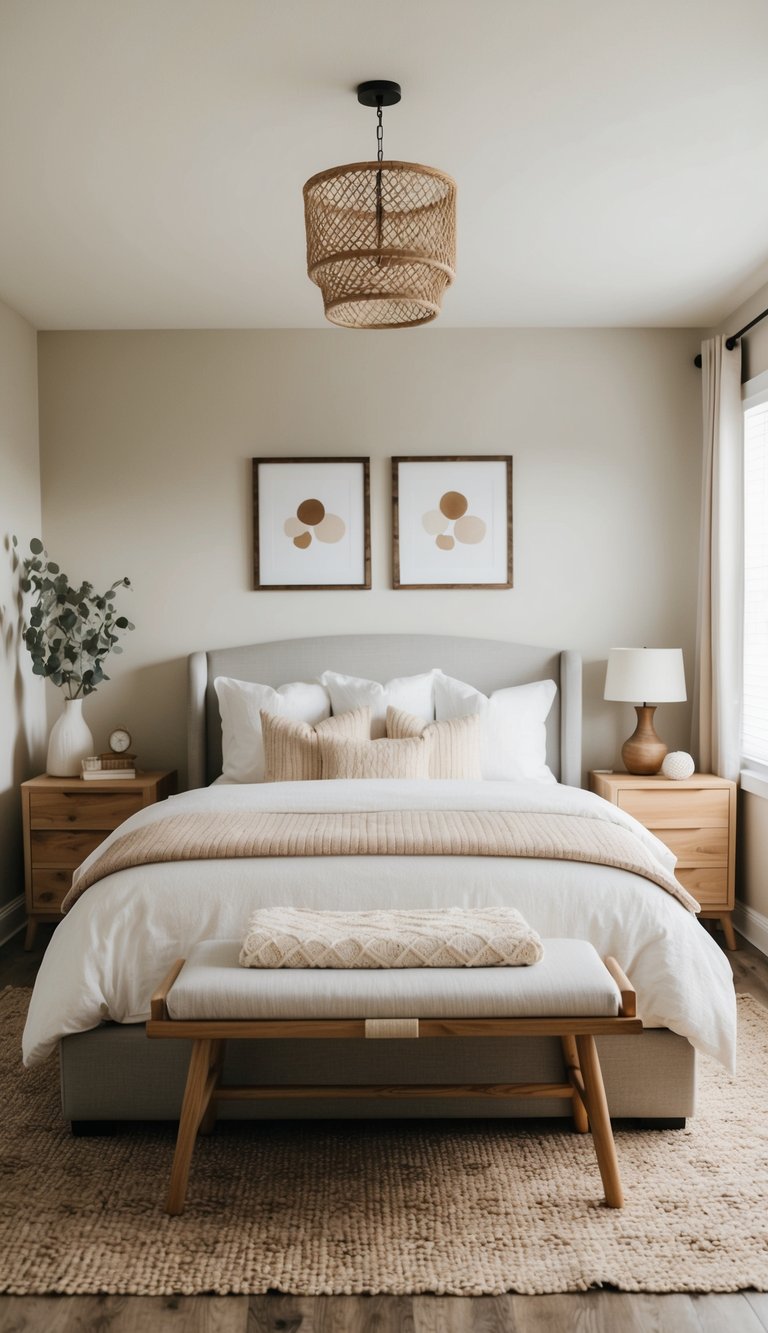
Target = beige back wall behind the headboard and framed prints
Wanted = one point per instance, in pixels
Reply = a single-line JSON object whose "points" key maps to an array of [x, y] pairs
{"points": [[146, 447]]}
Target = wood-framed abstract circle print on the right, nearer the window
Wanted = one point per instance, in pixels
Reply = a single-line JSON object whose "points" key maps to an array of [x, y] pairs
{"points": [[453, 522]]}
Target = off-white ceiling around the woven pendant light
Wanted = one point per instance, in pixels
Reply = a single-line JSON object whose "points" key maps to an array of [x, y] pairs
{"points": [[611, 155]]}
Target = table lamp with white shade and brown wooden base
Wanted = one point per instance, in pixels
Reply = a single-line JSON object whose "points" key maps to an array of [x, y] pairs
{"points": [[643, 674]]}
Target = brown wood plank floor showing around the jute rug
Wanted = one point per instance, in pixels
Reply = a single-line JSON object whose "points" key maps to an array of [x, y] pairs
{"points": [[593, 1312]]}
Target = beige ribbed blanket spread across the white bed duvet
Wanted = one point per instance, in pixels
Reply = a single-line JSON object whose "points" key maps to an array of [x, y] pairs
{"points": [[261, 834]]}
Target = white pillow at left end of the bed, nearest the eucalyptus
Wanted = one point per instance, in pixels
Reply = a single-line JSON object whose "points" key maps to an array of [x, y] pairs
{"points": [[241, 702]]}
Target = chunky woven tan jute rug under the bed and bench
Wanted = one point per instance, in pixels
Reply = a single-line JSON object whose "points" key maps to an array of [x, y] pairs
{"points": [[459, 1208]]}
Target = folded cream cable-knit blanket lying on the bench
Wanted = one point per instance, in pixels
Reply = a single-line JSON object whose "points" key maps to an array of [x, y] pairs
{"points": [[455, 938]]}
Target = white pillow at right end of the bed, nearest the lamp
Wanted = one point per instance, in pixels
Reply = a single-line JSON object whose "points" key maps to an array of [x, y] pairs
{"points": [[513, 736]]}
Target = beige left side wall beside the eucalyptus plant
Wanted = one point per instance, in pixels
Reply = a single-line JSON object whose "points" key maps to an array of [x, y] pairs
{"points": [[22, 698]]}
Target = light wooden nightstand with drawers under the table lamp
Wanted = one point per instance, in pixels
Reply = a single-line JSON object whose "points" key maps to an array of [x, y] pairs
{"points": [[697, 819]]}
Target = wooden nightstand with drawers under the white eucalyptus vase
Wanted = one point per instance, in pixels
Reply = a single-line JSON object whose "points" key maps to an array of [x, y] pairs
{"points": [[65, 819]]}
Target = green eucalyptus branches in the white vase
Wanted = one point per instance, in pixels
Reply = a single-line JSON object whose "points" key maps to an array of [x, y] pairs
{"points": [[71, 630]]}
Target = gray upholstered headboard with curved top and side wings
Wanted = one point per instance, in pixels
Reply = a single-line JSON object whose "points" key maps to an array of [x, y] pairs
{"points": [[483, 663]]}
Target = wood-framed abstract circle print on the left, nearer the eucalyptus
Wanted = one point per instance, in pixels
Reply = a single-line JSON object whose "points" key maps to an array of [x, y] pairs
{"points": [[311, 523]]}
